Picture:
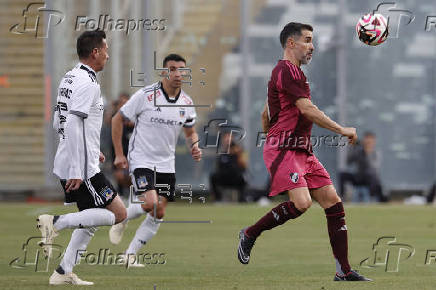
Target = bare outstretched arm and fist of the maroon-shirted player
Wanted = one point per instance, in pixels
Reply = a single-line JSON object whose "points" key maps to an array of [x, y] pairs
{"points": [[311, 112]]}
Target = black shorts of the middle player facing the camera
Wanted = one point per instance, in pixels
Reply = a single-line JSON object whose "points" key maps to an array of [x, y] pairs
{"points": [[143, 179]]}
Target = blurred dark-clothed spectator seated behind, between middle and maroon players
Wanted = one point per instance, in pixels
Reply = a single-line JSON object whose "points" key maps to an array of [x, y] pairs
{"points": [[230, 168]]}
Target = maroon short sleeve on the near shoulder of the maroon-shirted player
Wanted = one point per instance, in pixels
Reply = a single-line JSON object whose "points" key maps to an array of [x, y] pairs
{"points": [[293, 83]]}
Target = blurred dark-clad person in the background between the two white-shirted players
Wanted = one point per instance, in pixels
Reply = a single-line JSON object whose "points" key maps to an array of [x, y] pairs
{"points": [[121, 176]]}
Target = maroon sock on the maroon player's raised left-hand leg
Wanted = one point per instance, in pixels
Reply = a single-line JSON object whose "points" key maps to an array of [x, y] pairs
{"points": [[275, 217]]}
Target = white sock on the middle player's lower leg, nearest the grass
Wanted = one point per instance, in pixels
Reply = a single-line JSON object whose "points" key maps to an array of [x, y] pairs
{"points": [[144, 233]]}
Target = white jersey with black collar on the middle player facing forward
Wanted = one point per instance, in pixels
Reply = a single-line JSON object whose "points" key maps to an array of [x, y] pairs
{"points": [[158, 122]]}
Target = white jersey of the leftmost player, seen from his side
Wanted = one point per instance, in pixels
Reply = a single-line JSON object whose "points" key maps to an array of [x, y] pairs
{"points": [[79, 94]]}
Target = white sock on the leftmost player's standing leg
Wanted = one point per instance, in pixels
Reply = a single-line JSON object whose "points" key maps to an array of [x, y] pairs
{"points": [[78, 244]]}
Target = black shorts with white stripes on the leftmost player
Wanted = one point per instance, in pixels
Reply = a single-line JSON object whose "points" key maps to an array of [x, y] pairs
{"points": [[96, 192]]}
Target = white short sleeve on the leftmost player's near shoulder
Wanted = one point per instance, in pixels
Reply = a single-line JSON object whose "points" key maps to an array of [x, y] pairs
{"points": [[82, 99]]}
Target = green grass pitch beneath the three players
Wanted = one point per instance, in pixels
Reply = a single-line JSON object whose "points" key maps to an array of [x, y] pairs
{"points": [[296, 255]]}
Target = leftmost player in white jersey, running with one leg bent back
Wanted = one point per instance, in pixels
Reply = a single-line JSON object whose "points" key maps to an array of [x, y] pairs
{"points": [[78, 120]]}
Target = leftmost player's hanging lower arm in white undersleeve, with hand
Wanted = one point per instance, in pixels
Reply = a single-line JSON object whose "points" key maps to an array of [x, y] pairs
{"points": [[74, 140]]}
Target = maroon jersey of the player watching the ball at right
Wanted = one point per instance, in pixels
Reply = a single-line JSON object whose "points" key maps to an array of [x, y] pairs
{"points": [[289, 129]]}
